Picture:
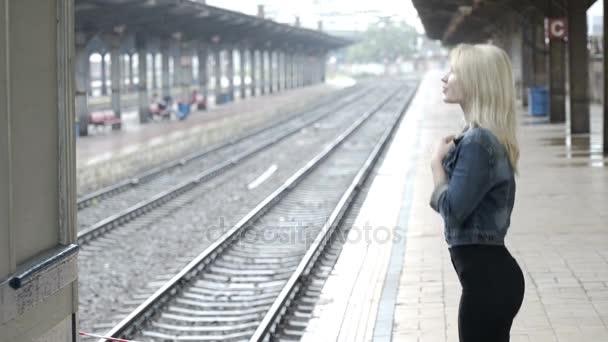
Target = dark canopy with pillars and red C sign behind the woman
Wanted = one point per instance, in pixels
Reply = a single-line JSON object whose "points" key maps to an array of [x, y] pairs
{"points": [[522, 28]]}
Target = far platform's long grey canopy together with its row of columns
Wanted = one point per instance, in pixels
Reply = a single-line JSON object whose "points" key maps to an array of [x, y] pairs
{"points": [[167, 36]]}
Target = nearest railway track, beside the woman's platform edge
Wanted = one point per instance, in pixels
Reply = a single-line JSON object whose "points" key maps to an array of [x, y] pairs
{"points": [[242, 285]]}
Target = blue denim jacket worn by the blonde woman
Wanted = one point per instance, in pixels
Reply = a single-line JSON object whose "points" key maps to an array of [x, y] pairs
{"points": [[477, 200]]}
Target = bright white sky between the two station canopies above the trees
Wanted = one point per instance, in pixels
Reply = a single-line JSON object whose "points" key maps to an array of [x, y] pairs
{"points": [[336, 14]]}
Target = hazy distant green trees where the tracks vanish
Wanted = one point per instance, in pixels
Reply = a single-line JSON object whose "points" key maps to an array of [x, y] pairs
{"points": [[384, 42]]}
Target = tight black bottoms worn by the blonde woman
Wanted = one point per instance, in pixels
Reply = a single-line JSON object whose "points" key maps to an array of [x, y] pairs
{"points": [[492, 291]]}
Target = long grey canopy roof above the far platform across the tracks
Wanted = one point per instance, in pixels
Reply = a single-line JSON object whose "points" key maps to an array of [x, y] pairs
{"points": [[194, 20]]}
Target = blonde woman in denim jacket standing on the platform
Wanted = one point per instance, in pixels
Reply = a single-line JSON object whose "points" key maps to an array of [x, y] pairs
{"points": [[474, 176]]}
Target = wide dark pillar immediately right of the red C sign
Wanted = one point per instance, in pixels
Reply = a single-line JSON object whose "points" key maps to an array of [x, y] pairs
{"points": [[578, 66]]}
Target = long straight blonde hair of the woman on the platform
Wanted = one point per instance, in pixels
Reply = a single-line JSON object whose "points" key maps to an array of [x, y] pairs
{"points": [[486, 79]]}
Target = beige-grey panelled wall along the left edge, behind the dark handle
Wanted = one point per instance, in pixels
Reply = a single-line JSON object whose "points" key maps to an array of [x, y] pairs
{"points": [[36, 169]]}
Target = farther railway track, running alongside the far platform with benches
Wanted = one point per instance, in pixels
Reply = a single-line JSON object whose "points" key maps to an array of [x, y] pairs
{"points": [[111, 207]]}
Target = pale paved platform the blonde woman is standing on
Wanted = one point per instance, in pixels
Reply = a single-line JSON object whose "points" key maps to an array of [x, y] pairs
{"points": [[394, 279]]}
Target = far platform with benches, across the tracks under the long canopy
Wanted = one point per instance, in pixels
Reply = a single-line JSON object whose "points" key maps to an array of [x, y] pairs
{"points": [[107, 156]]}
